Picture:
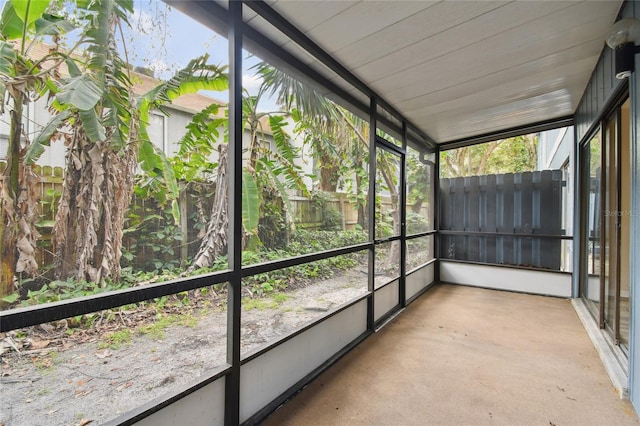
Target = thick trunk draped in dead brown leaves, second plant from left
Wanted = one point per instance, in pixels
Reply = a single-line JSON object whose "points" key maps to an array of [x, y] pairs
{"points": [[97, 190]]}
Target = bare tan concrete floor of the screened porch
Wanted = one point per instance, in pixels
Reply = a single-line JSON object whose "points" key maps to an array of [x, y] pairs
{"points": [[467, 356]]}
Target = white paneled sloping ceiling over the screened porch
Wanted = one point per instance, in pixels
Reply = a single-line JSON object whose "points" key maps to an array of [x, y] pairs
{"points": [[459, 69]]}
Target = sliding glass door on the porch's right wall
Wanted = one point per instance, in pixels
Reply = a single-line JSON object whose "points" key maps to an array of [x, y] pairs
{"points": [[605, 223]]}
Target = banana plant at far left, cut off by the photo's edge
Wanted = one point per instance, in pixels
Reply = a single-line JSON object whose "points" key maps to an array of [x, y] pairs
{"points": [[22, 79]]}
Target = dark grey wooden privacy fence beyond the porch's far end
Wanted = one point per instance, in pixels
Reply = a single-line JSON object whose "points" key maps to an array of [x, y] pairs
{"points": [[509, 219]]}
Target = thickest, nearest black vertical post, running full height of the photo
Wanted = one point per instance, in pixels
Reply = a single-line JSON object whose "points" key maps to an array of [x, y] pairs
{"points": [[234, 250]]}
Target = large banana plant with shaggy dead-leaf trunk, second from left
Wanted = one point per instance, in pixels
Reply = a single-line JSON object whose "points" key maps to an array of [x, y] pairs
{"points": [[105, 127]]}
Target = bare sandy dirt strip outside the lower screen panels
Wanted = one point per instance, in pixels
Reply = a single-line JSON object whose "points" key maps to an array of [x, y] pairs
{"points": [[49, 377]]}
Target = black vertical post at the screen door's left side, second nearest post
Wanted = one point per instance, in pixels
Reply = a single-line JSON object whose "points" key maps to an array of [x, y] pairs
{"points": [[372, 213]]}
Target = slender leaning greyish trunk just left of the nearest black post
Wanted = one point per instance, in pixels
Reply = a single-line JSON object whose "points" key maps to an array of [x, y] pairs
{"points": [[214, 243]]}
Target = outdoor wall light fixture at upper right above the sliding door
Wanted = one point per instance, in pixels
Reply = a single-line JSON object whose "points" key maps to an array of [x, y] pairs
{"points": [[622, 39]]}
